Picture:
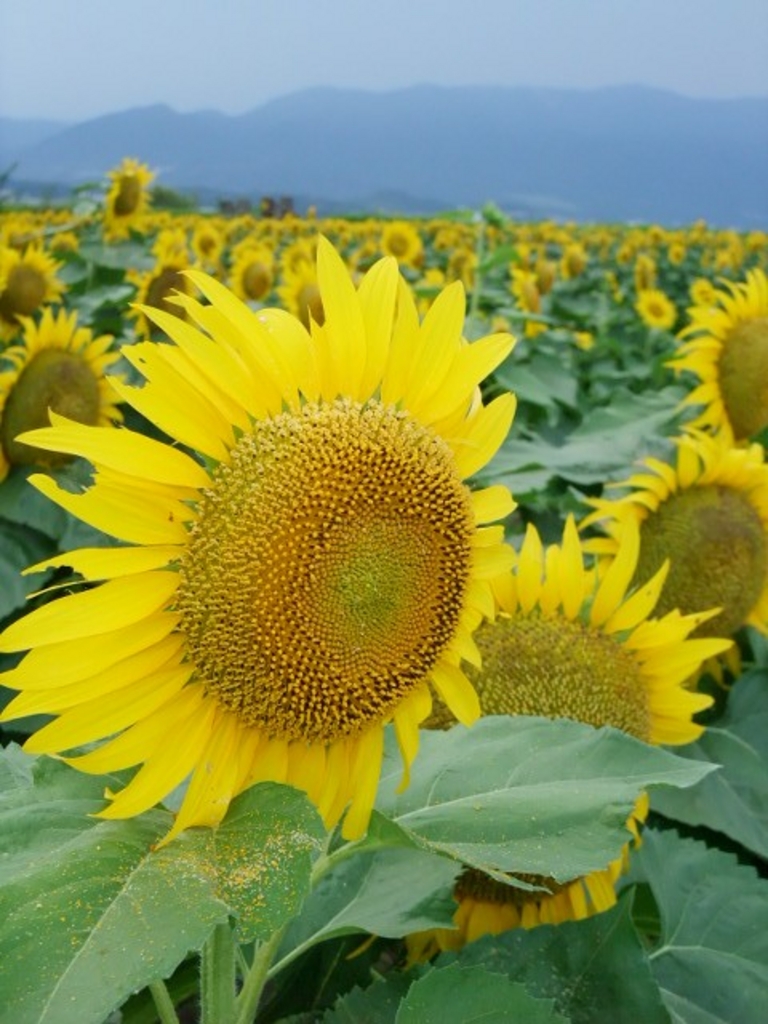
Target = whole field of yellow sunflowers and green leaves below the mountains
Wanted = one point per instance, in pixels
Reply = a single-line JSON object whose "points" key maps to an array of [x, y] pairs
{"points": [[383, 618]]}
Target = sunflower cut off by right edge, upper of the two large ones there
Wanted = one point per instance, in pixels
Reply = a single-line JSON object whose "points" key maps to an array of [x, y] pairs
{"points": [[727, 347]]}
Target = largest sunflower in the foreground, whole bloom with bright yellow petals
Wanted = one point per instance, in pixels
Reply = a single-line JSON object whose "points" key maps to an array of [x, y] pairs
{"points": [[303, 584]]}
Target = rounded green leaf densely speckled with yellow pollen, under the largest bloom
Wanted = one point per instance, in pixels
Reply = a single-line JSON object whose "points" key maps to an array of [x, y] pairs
{"points": [[261, 857]]}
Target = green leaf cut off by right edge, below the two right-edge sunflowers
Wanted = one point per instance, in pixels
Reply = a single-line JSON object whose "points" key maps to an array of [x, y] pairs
{"points": [[735, 800]]}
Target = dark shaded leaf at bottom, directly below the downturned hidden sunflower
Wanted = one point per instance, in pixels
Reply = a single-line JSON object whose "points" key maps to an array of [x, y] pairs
{"points": [[595, 970]]}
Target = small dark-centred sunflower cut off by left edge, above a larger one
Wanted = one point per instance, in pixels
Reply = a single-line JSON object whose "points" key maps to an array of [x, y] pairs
{"points": [[28, 282]]}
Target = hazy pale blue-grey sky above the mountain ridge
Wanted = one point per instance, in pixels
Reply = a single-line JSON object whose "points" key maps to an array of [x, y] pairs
{"points": [[72, 60]]}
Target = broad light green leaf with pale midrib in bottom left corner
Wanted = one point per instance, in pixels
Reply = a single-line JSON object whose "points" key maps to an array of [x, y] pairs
{"points": [[90, 919]]}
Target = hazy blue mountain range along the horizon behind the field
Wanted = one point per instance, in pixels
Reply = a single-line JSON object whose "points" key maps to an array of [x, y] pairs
{"points": [[614, 154]]}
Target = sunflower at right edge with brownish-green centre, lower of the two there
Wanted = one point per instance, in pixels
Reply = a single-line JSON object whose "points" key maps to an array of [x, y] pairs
{"points": [[708, 515]]}
